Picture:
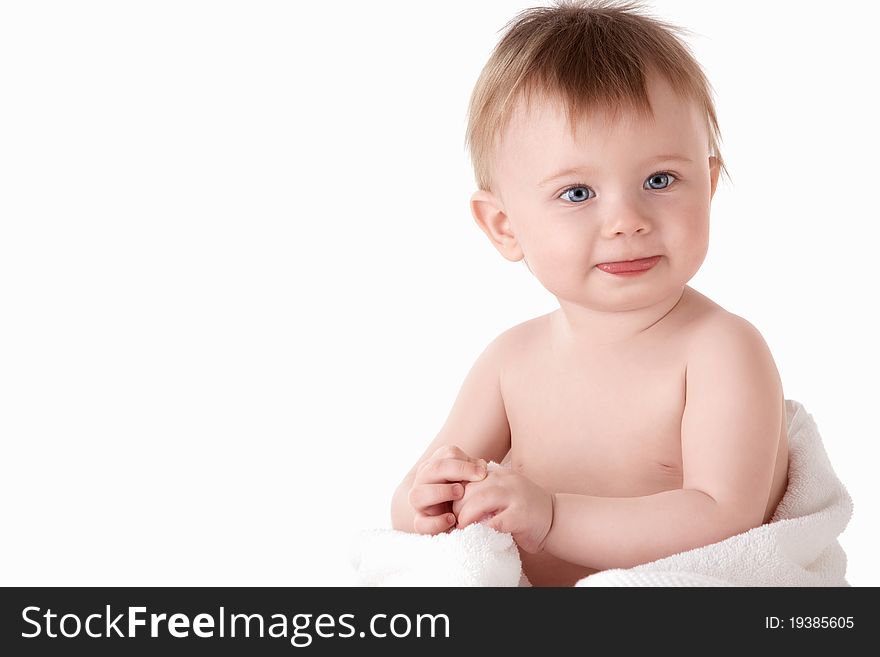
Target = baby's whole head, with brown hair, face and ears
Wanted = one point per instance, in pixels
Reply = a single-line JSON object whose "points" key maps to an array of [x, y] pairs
{"points": [[594, 139]]}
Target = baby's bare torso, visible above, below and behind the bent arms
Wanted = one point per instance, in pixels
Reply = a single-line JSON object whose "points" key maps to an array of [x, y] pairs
{"points": [[626, 440]]}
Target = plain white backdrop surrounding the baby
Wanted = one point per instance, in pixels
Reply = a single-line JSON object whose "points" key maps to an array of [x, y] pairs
{"points": [[240, 284]]}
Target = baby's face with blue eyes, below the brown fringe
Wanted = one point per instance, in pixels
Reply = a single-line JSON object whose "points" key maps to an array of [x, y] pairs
{"points": [[629, 190]]}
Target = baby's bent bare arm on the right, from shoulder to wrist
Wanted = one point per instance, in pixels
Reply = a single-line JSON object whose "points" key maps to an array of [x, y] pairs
{"points": [[730, 432]]}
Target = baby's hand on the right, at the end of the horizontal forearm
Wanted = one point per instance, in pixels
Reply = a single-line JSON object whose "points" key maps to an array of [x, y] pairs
{"points": [[509, 502]]}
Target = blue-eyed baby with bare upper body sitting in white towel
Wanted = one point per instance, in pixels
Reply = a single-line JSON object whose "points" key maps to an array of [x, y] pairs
{"points": [[640, 419]]}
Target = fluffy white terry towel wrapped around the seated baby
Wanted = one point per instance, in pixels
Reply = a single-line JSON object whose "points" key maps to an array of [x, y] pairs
{"points": [[798, 547]]}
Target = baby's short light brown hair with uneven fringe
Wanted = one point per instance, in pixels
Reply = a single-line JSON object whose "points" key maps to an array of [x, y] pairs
{"points": [[590, 54]]}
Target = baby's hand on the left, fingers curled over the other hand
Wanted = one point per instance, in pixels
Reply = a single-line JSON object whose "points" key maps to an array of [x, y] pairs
{"points": [[438, 482]]}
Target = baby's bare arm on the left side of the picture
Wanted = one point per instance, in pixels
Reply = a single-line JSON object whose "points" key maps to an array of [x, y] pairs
{"points": [[477, 425]]}
